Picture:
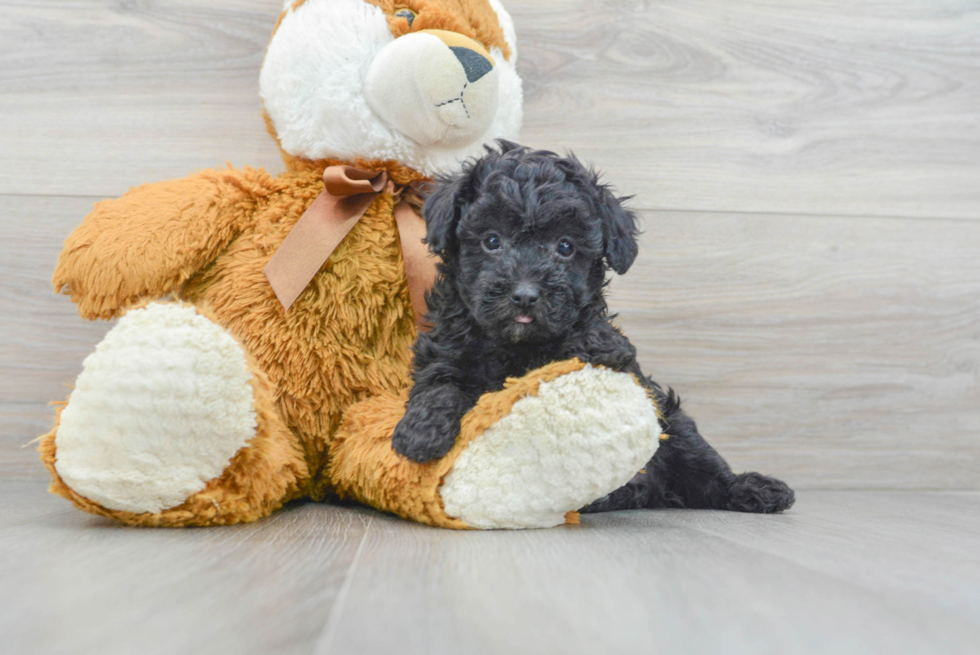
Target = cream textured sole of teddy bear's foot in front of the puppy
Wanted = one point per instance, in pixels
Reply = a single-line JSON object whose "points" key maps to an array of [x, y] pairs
{"points": [[583, 435]]}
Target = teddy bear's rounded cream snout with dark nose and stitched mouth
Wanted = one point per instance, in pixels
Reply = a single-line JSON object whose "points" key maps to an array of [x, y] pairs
{"points": [[434, 86]]}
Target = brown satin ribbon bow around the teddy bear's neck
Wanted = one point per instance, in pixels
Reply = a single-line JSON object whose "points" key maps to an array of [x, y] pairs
{"points": [[348, 194]]}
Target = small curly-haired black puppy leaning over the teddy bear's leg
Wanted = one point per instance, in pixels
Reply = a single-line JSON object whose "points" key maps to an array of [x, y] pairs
{"points": [[526, 238]]}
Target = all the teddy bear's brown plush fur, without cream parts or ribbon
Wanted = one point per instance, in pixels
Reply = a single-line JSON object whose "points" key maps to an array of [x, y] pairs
{"points": [[205, 240]]}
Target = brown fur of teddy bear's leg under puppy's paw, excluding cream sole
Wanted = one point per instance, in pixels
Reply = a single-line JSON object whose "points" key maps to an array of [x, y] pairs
{"points": [[366, 468]]}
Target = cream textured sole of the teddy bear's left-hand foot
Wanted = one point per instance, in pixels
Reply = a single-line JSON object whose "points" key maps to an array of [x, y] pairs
{"points": [[159, 409]]}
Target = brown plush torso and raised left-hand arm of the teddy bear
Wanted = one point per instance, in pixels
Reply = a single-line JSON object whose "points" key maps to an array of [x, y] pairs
{"points": [[207, 239]]}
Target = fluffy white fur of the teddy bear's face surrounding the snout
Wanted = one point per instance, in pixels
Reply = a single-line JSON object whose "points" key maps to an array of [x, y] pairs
{"points": [[315, 94]]}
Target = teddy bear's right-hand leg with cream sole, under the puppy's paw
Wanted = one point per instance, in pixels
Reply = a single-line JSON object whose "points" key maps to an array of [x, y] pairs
{"points": [[527, 456]]}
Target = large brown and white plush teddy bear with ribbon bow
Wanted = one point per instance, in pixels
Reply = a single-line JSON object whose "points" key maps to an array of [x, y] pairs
{"points": [[263, 344]]}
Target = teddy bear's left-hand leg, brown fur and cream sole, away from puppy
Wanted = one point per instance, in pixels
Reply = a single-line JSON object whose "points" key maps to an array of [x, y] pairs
{"points": [[172, 424]]}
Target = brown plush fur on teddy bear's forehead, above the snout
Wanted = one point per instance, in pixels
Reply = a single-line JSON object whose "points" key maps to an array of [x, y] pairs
{"points": [[473, 18]]}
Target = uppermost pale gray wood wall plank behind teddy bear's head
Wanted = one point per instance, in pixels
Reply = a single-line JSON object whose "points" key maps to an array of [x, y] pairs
{"points": [[762, 105]]}
